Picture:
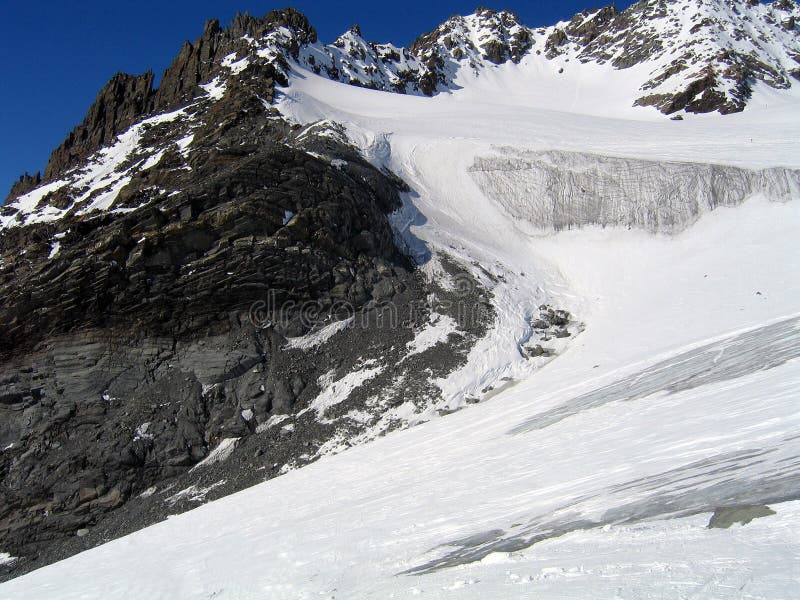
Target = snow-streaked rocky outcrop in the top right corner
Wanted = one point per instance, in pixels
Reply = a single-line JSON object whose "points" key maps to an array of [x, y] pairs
{"points": [[700, 55]]}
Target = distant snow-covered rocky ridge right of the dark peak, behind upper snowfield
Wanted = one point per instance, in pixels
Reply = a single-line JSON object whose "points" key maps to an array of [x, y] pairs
{"points": [[692, 55]]}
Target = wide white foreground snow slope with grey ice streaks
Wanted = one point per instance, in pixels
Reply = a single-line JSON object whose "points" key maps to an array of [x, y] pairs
{"points": [[597, 475]]}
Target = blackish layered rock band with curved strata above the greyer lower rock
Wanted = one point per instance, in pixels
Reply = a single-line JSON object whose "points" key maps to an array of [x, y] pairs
{"points": [[153, 266]]}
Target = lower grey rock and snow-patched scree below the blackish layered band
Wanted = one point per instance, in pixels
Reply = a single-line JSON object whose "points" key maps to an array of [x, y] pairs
{"points": [[96, 465]]}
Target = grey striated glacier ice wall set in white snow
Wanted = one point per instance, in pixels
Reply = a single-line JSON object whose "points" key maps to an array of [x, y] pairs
{"points": [[557, 190]]}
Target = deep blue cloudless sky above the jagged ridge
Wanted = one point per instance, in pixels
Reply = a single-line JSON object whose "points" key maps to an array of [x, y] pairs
{"points": [[55, 56]]}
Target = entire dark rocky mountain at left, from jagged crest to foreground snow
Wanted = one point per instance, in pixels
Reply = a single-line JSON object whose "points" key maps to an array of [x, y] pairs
{"points": [[139, 336]]}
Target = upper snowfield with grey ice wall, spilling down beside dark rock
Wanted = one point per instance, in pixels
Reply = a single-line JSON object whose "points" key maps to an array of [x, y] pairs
{"points": [[435, 145]]}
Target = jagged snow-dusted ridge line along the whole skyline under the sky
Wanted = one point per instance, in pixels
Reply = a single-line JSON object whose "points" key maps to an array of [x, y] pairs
{"points": [[696, 56]]}
